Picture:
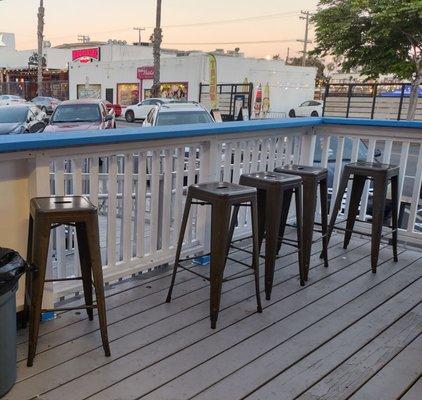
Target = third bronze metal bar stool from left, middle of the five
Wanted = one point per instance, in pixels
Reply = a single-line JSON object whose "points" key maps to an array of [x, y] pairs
{"points": [[273, 190]]}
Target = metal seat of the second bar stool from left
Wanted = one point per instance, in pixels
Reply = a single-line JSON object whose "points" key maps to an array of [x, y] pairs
{"points": [[211, 190]]}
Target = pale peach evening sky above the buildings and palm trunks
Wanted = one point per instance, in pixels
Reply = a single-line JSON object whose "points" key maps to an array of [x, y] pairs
{"points": [[272, 20]]}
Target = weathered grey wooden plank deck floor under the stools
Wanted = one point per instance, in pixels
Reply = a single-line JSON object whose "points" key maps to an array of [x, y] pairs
{"points": [[349, 334]]}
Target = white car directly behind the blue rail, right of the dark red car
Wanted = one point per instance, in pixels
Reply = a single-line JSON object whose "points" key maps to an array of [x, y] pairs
{"points": [[176, 113]]}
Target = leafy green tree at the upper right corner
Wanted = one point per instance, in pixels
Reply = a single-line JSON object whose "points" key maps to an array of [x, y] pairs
{"points": [[377, 36]]}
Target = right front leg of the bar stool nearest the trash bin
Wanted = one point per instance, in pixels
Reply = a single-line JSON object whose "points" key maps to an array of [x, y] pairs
{"points": [[97, 273]]}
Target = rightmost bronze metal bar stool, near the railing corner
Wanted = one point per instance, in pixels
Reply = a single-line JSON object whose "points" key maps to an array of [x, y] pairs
{"points": [[381, 175]]}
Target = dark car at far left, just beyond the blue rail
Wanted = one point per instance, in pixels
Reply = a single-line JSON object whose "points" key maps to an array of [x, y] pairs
{"points": [[21, 118]]}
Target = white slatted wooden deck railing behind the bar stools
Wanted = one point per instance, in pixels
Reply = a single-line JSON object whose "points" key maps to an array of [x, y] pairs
{"points": [[139, 185]]}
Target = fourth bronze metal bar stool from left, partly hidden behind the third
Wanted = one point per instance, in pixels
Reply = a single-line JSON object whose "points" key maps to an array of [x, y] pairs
{"points": [[312, 177]]}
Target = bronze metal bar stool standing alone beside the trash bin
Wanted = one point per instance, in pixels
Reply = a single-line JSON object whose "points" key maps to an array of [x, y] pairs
{"points": [[47, 213]]}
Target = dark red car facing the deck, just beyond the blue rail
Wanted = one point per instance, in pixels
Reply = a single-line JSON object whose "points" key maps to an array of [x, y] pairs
{"points": [[77, 115]]}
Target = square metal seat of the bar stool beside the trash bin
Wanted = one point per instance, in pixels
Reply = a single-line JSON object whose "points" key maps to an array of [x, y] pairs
{"points": [[62, 204]]}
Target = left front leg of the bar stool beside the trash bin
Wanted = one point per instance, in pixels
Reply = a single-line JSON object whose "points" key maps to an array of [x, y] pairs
{"points": [[39, 253]]}
